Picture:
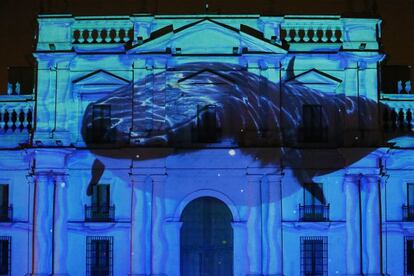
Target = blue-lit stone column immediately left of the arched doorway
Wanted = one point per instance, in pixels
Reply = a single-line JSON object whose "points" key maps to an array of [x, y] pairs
{"points": [[158, 241]]}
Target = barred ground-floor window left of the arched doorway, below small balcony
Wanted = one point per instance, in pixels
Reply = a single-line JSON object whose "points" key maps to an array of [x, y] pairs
{"points": [[99, 254]]}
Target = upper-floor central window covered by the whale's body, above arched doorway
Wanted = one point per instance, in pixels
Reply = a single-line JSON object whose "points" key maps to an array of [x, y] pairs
{"points": [[207, 124]]}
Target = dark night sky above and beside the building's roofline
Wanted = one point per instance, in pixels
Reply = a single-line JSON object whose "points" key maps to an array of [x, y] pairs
{"points": [[18, 19]]}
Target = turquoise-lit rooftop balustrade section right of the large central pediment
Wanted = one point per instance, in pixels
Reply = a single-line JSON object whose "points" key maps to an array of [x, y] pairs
{"points": [[312, 30]]}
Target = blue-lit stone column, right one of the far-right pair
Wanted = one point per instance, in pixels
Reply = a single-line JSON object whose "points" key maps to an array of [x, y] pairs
{"points": [[372, 227]]}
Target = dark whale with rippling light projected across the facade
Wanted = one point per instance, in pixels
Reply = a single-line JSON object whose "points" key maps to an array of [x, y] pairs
{"points": [[207, 101]]}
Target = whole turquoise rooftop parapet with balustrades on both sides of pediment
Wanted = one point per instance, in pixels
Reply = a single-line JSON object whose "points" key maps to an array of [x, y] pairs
{"points": [[63, 31]]}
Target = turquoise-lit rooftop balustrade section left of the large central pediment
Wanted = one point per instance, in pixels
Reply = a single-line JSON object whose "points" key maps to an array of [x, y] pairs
{"points": [[97, 30]]}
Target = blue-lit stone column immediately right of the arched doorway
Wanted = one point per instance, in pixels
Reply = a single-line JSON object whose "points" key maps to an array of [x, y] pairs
{"points": [[254, 221]]}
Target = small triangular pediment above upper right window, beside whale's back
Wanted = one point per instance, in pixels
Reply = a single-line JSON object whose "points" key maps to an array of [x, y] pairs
{"points": [[316, 80]]}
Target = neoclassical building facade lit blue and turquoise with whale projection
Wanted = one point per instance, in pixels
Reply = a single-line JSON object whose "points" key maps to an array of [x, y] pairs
{"points": [[207, 145]]}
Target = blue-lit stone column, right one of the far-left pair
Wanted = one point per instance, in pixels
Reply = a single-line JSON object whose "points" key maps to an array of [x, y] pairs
{"points": [[60, 235]]}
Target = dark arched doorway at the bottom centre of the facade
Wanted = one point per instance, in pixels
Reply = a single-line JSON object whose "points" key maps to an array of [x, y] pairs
{"points": [[206, 240]]}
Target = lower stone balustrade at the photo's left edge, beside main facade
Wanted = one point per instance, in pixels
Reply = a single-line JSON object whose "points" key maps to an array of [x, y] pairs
{"points": [[16, 116]]}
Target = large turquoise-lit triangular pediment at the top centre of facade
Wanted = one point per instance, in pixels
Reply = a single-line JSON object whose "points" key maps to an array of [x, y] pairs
{"points": [[207, 36]]}
